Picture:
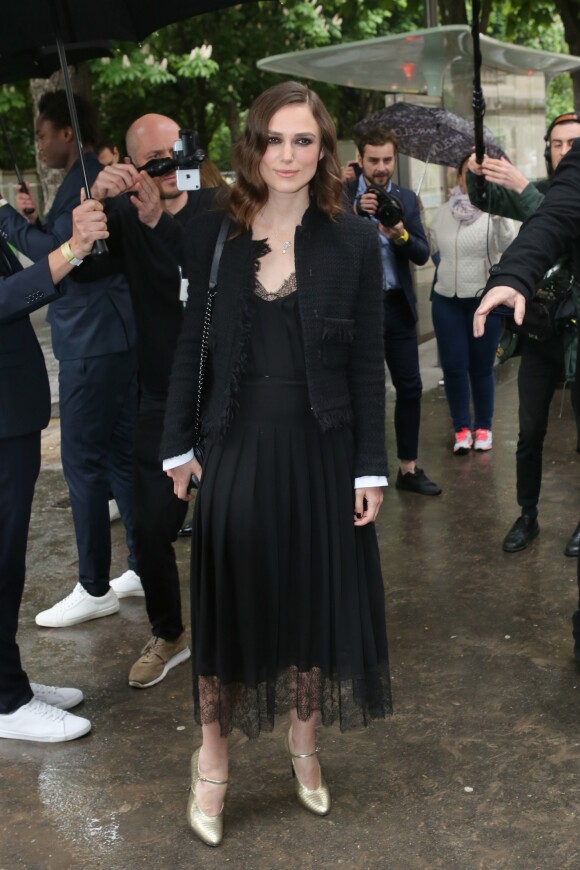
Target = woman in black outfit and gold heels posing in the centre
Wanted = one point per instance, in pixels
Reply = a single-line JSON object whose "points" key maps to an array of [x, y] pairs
{"points": [[286, 589]]}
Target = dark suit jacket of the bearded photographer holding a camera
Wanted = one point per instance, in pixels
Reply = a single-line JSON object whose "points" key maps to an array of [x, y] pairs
{"points": [[416, 249]]}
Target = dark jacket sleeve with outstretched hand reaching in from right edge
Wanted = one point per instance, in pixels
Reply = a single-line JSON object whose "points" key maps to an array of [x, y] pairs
{"points": [[547, 234]]}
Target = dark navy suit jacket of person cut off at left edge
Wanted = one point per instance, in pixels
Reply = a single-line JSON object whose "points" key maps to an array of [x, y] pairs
{"points": [[24, 387]]}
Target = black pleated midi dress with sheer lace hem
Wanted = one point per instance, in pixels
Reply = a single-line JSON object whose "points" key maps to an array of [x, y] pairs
{"points": [[287, 599]]}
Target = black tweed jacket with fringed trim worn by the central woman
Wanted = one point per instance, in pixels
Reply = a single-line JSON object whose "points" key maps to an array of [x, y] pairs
{"points": [[338, 276]]}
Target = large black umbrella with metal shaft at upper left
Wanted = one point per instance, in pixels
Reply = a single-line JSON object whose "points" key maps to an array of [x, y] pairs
{"points": [[27, 25]]}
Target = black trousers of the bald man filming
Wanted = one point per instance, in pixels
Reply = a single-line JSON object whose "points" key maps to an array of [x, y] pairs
{"points": [[158, 516]]}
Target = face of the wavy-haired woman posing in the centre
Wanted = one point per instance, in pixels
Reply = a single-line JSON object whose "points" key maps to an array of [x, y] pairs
{"points": [[294, 149]]}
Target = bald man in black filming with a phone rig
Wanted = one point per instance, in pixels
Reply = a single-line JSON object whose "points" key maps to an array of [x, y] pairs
{"points": [[147, 219]]}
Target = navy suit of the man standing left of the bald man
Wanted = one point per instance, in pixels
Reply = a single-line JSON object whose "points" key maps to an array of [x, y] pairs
{"points": [[93, 336]]}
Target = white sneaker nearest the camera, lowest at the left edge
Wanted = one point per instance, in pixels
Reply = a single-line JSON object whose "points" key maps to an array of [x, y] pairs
{"points": [[39, 721]]}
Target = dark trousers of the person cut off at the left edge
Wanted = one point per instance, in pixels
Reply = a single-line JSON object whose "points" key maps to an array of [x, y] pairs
{"points": [[19, 468]]}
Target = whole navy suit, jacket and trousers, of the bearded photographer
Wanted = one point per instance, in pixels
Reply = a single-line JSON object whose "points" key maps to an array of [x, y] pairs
{"points": [[400, 324]]}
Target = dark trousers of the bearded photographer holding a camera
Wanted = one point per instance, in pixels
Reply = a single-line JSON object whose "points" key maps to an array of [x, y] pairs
{"points": [[402, 358]]}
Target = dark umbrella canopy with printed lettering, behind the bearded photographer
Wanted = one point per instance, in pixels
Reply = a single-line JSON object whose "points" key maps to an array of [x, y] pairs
{"points": [[430, 134]]}
